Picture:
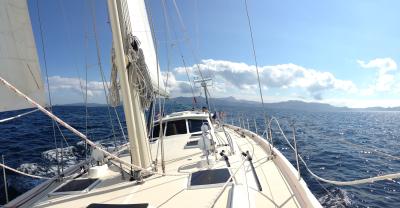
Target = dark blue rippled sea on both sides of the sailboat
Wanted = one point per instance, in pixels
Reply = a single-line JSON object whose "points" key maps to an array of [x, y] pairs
{"points": [[336, 146]]}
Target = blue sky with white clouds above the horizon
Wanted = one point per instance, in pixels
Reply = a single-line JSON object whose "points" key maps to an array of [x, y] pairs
{"points": [[342, 52]]}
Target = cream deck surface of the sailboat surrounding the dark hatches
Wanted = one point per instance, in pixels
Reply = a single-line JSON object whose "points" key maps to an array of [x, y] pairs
{"points": [[173, 190]]}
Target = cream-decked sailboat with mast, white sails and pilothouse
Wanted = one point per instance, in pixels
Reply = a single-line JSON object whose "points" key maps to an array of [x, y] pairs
{"points": [[186, 159]]}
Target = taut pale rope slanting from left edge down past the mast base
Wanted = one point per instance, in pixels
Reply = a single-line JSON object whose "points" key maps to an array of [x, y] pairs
{"points": [[75, 131]]}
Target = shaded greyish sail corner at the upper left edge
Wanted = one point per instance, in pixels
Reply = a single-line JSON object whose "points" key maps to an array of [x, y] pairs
{"points": [[18, 58]]}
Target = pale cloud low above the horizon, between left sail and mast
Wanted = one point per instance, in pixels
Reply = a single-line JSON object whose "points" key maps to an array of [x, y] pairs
{"points": [[73, 84]]}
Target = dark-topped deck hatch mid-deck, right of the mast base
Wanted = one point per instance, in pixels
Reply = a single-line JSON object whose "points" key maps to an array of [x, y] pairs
{"points": [[209, 178]]}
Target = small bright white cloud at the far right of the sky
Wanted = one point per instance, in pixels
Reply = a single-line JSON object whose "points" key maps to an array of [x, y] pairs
{"points": [[385, 79]]}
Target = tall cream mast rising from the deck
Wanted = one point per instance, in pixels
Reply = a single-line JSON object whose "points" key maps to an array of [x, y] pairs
{"points": [[131, 101]]}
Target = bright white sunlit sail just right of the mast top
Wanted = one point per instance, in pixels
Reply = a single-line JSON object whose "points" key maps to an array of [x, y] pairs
{"points": [[137, 23]]}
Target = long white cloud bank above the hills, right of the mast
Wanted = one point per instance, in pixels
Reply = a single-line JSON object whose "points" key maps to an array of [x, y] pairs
{"points": [[244, 77]]}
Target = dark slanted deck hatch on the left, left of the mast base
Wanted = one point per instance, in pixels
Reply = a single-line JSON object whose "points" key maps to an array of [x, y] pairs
{"points": [[76, 186]]}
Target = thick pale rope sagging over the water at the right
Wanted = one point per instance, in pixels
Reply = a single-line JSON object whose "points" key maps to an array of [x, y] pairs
{"points": [[340, 183]]}
